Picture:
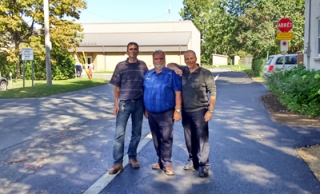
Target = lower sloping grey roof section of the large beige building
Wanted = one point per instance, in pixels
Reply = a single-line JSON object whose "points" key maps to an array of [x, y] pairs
{"points": [[144, 38]]}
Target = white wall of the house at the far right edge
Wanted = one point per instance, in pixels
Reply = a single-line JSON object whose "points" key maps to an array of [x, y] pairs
{"points": [[312, 35]]}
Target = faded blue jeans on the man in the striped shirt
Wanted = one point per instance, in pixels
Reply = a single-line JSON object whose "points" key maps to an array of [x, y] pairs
{"points": [[127, 108]]}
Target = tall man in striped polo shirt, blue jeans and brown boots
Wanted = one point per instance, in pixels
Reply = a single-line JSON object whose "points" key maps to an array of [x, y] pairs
{"points": [[128, 101]]}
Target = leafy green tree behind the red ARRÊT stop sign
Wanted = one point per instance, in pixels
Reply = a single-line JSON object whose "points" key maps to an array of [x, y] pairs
{"points": [[257, 24]]}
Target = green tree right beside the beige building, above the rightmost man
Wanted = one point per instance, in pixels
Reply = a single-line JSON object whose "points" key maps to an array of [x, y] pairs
{"points": [[215, 24]]}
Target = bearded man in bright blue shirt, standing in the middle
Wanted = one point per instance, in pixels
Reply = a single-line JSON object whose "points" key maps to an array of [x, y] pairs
{"points": [[162, 100]]}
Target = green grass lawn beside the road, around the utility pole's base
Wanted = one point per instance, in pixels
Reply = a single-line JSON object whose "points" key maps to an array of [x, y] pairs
{"points": [[41, 89]]}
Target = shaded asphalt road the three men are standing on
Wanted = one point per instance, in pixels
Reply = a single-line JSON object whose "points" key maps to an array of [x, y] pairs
{"points": [[63, 144]]}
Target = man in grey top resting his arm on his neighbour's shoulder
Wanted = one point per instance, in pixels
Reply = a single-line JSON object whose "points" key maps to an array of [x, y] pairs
{"points": [[197, 110]]}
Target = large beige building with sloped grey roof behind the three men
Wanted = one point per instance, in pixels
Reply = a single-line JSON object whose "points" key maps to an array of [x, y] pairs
{"points": [[104, 44]]}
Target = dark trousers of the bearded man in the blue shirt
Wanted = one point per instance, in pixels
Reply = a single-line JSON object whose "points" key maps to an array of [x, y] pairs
{"points": [[161, 127]]}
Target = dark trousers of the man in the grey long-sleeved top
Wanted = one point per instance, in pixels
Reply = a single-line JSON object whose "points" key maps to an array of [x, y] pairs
{"points": [[196, 132]]}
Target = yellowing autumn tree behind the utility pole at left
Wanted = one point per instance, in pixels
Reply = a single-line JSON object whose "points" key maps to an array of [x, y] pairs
{"points": [[22, 25]]}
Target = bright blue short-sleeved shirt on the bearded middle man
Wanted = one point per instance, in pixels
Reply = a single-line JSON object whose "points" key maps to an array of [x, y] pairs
{"points": [[159, 90]]}
